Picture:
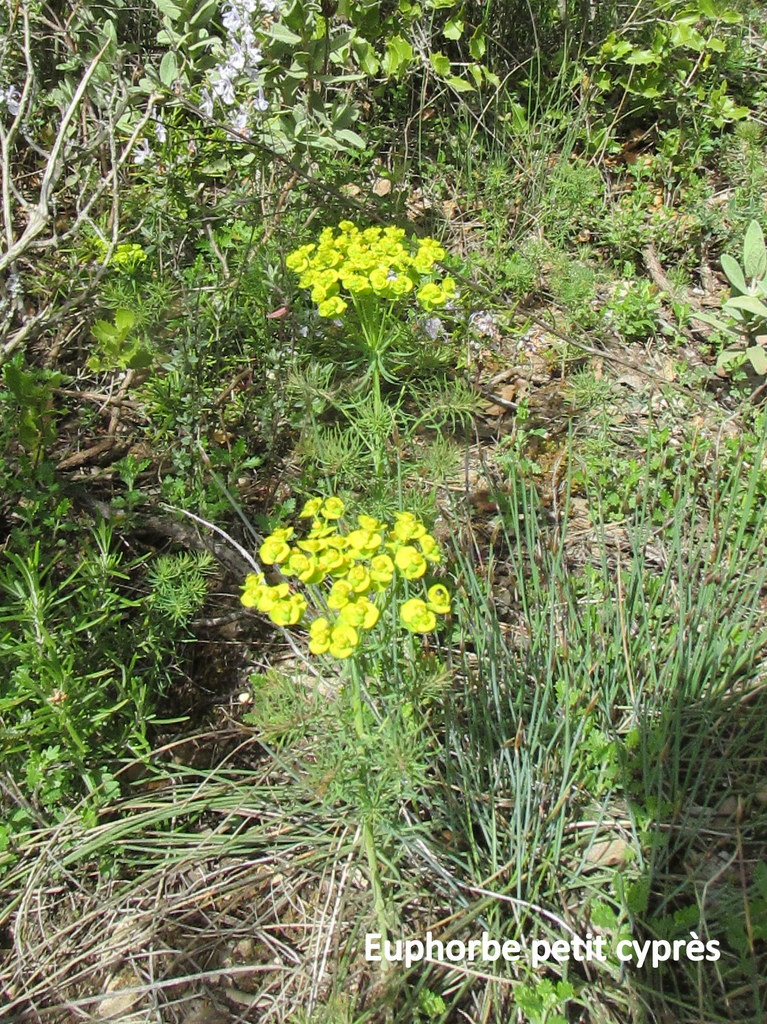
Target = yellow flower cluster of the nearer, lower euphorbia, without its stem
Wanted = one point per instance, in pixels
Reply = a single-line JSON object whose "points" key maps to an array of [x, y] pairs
{"points": [[357, 567]]}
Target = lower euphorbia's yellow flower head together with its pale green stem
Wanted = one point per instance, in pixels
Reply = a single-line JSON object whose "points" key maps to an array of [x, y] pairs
{"points": [[347, 582]]}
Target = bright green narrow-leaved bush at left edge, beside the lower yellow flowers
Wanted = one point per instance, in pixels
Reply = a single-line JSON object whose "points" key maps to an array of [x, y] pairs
{"points": [[84, 659]]}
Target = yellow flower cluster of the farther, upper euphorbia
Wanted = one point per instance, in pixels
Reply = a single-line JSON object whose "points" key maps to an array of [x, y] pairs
{"points": [[373, 262]]}
